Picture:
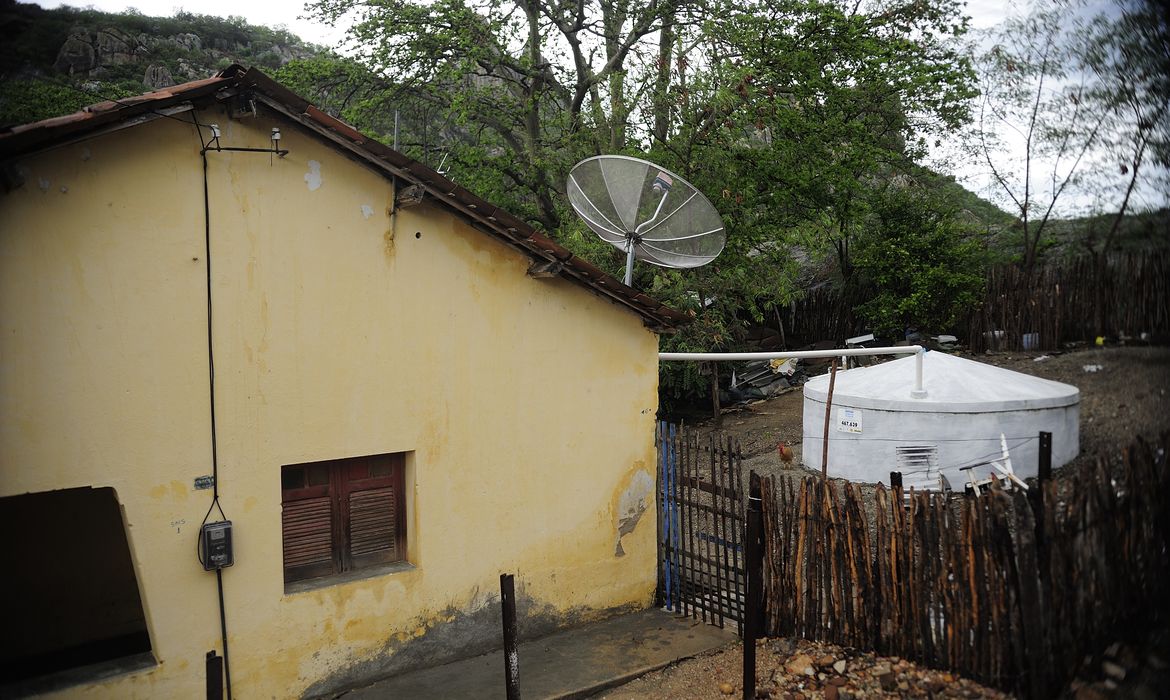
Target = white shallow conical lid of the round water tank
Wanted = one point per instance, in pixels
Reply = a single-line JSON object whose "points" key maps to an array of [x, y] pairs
{"points": [[953, 385]]}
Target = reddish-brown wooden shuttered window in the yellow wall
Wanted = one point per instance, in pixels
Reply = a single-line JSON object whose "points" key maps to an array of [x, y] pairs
{"points": [[336, 483]]}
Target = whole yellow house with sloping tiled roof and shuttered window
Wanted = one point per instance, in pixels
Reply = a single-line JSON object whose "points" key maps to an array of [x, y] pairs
{"points": [[394, 392]]}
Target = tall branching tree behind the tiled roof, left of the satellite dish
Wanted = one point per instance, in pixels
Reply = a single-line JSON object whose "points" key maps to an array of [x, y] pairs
{"points": [[518, 91]]}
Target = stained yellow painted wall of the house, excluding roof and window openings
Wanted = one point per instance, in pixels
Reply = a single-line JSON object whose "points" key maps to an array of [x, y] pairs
{"points": [[528, 406]]}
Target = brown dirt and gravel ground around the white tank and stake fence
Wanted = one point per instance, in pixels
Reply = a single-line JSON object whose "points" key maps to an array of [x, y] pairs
{"points": [[1125, 393]]}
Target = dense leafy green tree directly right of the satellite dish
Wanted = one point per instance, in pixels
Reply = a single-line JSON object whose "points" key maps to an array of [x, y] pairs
{"points": [[802, 111]]}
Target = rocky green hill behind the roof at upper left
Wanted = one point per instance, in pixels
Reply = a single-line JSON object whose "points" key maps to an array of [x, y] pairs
{"points": [[56, 61]]}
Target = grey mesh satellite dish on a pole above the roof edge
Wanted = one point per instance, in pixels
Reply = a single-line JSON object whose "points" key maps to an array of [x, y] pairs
{"points": [[646, 211]]}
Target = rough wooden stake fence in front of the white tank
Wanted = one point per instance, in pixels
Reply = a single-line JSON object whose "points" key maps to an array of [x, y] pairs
{"points": [[965, 584]]}
